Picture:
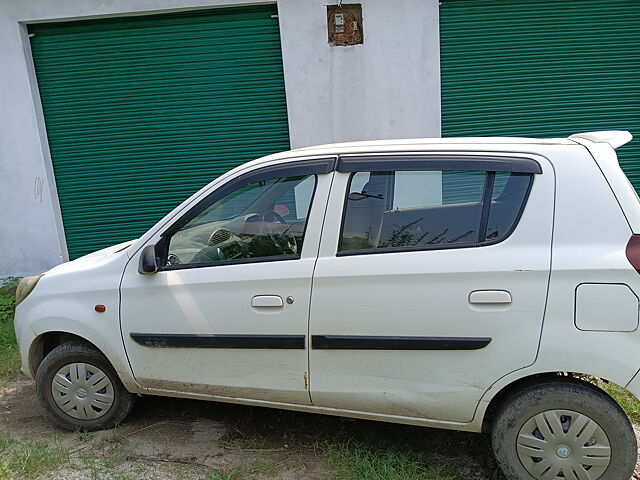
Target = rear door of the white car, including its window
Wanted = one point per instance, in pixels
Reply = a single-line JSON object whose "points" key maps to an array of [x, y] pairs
{"points": [[431, 284]]}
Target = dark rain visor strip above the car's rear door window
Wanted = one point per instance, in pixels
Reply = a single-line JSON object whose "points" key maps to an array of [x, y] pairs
{"points": [[404, 161]]}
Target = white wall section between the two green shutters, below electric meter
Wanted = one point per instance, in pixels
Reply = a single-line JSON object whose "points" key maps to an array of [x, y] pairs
{"points": [[388, 87]]}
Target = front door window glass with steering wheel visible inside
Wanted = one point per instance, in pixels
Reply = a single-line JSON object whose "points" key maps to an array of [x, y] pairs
{"points": [[255, 221]]}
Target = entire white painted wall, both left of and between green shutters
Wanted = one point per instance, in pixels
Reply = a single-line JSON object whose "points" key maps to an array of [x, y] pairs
{"points": [[389, 87]]}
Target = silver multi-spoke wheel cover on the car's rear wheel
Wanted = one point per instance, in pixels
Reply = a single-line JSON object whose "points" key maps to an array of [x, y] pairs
{"points": [[563, 445]]}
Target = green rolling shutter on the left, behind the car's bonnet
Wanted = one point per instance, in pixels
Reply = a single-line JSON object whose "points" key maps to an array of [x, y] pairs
{"points": [[142, 111]]}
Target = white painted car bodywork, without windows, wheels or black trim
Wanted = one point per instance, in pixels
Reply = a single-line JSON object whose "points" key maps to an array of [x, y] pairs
{"points": [[578, 219]]}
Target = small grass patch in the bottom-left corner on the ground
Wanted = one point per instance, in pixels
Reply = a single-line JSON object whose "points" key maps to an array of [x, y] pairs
{"points": [[27, 459]]}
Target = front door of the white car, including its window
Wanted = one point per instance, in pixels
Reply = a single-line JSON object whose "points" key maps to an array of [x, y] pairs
{"points": [[226, 314]]}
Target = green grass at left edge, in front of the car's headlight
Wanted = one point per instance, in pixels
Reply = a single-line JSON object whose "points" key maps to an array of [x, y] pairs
{"points": [[9, 354]]}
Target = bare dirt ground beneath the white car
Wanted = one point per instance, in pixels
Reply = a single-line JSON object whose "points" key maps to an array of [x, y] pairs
{"points": [[168, 438]]}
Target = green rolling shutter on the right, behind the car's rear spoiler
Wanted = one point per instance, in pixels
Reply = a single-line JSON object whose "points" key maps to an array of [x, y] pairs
{"points": [[542, 68]]}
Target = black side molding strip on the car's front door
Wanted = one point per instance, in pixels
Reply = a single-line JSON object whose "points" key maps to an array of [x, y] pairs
{"points": [[285, 342]]}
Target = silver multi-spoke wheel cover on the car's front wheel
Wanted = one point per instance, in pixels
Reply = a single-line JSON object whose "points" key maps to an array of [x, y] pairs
{"points": [[82, 391]]}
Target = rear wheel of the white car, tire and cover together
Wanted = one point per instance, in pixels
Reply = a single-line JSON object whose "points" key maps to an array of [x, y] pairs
{"points": [[538, 421]]}
